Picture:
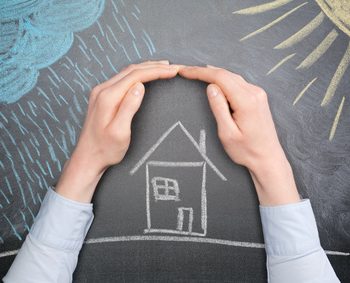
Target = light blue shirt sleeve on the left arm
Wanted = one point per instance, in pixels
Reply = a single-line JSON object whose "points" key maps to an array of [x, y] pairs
{"points": [[50, 251]]}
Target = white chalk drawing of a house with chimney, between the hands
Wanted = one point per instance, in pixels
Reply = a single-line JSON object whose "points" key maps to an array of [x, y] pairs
{"points": [[176, 199]]}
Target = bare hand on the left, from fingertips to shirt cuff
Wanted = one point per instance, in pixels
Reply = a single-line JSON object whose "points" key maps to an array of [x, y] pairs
{"points": [[106, 133]]}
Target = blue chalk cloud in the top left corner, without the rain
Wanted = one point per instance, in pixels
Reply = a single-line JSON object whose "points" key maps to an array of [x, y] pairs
{"points": [[34, 34]]}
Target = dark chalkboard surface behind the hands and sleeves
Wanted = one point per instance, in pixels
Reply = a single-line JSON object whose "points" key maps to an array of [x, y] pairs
{"points": [[297, 51]]}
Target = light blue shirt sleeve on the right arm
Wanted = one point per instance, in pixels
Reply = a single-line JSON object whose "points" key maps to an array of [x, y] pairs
{"points": [[292, 244]]}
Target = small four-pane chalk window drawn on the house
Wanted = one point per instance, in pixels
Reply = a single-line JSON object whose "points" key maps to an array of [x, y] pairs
{"points": [[165, 189]]}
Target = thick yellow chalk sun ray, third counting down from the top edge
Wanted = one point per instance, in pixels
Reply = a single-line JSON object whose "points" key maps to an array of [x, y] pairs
{"points": [[302, 33]]}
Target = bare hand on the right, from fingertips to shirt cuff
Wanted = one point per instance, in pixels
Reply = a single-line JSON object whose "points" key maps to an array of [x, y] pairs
{"points": [[248, 134]]}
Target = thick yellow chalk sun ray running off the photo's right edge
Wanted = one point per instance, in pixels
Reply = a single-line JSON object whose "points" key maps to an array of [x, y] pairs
{"points": [[338, 75]]}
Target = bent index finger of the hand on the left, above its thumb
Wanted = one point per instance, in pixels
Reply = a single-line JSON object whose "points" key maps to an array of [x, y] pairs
{"points": [[116, 92]]}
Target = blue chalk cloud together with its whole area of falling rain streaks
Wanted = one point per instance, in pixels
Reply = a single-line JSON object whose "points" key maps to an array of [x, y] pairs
{"points": [[50, 59]]}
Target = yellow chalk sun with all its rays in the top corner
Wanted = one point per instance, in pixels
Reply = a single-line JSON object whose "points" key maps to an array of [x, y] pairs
{"points": [[337, 11]]}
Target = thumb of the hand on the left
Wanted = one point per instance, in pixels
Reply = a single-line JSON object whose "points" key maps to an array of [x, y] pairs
{"points": [[128, 107]]}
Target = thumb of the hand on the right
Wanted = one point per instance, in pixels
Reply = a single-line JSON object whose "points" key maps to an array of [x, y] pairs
{"points": [[221, 110]]}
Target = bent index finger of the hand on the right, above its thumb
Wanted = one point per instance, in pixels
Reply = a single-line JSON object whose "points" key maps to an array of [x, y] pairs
{"points": [[232, 85]]}
